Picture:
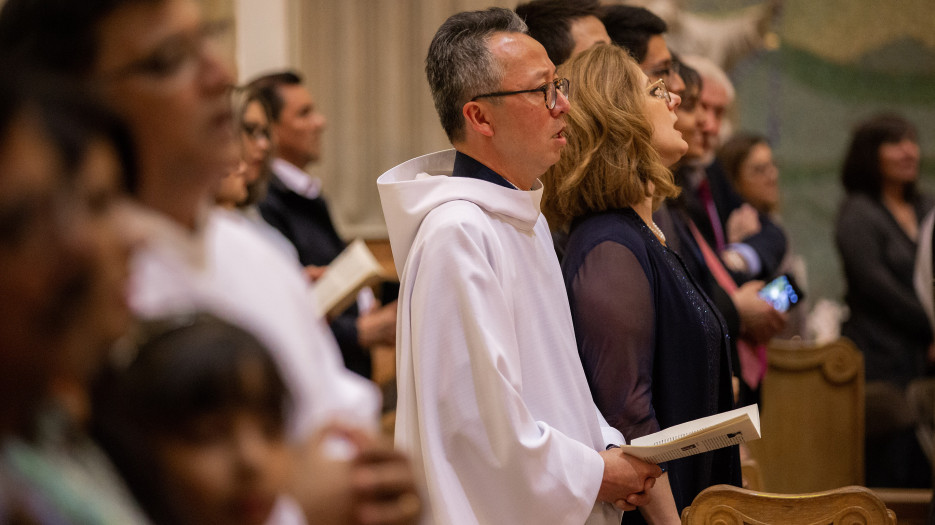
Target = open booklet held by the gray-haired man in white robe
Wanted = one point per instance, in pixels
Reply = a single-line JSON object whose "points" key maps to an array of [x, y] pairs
{"points": [[701, 435]]}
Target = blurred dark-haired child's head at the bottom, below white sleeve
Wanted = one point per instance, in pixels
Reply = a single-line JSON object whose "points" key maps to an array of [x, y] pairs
{"points": [[195, 423]]}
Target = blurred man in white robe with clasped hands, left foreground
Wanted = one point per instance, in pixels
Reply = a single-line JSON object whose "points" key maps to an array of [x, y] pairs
{"points": [[157, 64]]}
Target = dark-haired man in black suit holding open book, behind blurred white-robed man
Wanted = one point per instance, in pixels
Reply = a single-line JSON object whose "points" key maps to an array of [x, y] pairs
{"points": [[295, 206]]}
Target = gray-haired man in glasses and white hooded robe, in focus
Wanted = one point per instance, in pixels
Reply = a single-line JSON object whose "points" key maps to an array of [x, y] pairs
{"points": [[493, 406]]}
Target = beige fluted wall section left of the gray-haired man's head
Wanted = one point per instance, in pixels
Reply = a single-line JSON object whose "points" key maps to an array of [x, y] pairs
{"points": [[364, 62]]}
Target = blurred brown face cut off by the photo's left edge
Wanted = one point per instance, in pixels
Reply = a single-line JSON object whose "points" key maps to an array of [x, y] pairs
{"points": [[42, 258]]}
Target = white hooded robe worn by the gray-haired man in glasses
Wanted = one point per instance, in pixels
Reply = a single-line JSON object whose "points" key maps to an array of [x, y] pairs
{"points": [[493, 406]]}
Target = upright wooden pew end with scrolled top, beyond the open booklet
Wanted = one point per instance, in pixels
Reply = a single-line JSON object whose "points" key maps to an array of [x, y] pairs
{"points": [[812, 418]]}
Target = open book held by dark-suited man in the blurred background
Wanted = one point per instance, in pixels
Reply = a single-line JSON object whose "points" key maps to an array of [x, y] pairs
{"points": [[351, 270]]}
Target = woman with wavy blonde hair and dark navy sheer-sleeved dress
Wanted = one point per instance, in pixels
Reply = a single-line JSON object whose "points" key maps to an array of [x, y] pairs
{"points": [[653, 345]]}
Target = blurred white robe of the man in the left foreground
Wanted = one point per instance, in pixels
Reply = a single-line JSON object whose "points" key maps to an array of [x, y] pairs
{"points": [[229, 268]]}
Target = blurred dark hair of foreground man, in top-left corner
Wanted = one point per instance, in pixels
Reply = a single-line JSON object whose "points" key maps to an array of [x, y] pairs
{"points": [[58, 35]]}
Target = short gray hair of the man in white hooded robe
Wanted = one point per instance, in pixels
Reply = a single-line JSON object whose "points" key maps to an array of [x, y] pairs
{"points": [[459, 66]]}
